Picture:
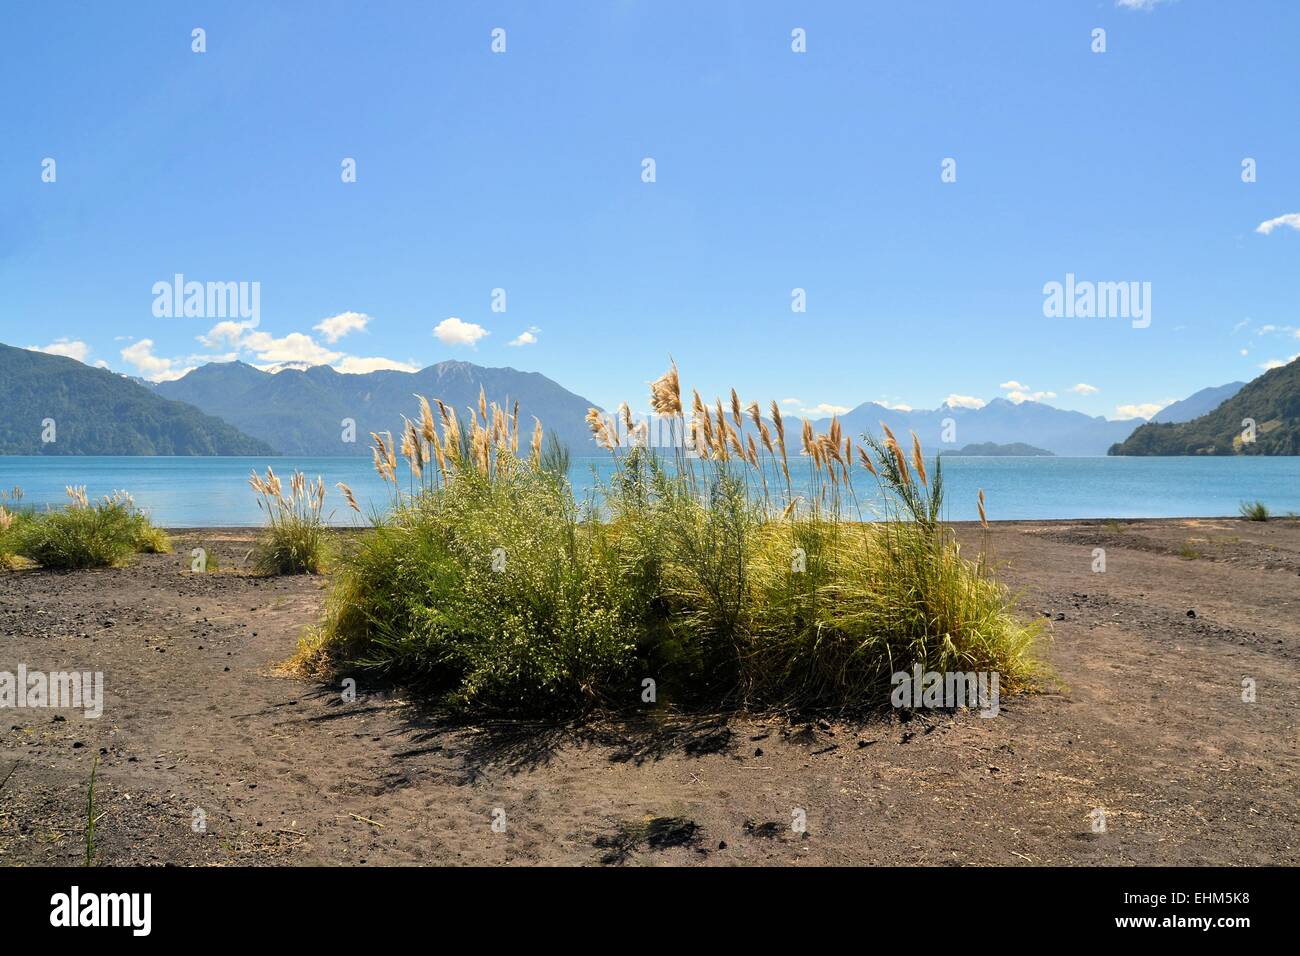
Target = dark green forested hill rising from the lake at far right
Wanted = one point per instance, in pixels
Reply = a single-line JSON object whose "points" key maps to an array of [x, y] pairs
{"points": [[1272, 403]]}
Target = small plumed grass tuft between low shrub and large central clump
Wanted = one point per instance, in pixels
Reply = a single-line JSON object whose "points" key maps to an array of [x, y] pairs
{"points": [[294, 542]]}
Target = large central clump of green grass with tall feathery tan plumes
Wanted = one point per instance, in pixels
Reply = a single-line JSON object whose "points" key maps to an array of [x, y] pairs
{"points": [[489, 585]]}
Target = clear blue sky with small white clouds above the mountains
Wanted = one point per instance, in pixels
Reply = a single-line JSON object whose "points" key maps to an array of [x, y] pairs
{"points": [[774, 171]]}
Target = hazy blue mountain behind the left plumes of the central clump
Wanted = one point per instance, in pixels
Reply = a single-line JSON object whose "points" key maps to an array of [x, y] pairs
{"points": [[304, 412]]}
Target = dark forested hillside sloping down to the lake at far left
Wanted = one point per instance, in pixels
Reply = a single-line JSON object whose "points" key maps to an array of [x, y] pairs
{"points": [[93, 412]]}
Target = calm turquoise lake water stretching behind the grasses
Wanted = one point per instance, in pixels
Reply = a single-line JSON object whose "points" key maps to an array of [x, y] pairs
{"points": [[214, 492]]}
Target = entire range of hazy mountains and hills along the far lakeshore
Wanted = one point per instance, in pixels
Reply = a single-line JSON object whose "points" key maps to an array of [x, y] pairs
{"points": [[233, 409]]}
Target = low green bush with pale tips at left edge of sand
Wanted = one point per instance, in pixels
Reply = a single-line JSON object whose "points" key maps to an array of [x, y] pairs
{"points": [[86, 535]]}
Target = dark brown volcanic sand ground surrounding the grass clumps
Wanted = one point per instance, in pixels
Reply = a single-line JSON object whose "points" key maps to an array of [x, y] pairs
{"points": [[1152, 728]]}
